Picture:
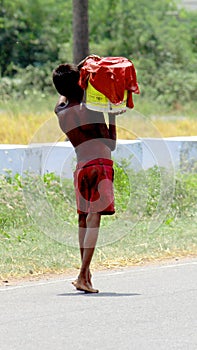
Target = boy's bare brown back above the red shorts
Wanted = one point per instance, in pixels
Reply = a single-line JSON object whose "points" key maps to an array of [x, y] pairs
{"points": [[86, 130]]}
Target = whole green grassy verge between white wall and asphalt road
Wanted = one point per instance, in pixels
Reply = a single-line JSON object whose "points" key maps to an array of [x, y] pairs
{"points": [[38, 222]]}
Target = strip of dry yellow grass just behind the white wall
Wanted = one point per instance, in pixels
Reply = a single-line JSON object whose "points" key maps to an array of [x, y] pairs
{"points": [[43, 127]]}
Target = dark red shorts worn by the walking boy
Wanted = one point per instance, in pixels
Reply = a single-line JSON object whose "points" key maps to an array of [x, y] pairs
{"points": [[93, 183]]}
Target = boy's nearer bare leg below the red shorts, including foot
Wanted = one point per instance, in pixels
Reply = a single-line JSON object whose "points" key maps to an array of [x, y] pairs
{"points": [[89, 243]]}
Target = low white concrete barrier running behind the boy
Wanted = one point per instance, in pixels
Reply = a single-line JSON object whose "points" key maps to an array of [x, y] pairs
{"points": [[178, 153]]}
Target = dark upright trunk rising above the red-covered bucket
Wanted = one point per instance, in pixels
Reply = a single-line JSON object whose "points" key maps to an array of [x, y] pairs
{"points": [[80, 30]]}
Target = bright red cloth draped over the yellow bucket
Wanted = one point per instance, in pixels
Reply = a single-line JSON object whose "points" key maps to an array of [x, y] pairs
{"points": [[111, 76]]}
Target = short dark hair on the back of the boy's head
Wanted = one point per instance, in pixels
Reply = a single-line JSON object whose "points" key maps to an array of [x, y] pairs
{"points": [[65, 79]]}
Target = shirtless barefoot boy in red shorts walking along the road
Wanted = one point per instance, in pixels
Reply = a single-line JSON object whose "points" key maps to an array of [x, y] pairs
{"points": [[93, 142]]}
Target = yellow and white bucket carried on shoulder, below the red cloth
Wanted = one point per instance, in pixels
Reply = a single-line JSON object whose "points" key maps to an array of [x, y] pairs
{"points": [[96, 101]]}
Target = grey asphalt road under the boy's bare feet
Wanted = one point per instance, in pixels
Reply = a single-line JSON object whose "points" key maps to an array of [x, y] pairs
{"points": [[139, 308]]}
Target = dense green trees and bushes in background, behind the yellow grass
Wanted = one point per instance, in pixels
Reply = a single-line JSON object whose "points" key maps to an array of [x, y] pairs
{"points": [[156, 35]]}
